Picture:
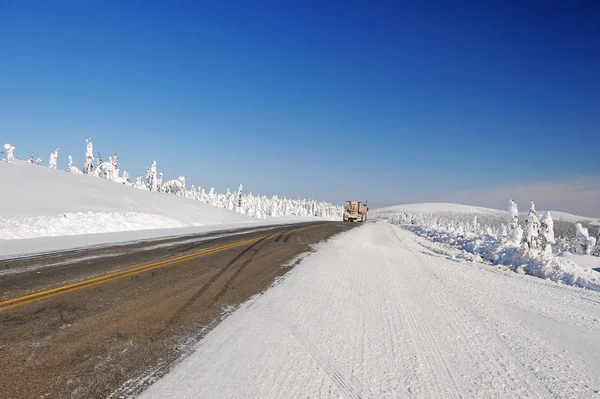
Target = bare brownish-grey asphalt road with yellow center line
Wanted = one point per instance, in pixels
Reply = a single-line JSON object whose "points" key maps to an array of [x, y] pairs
{"points": [[108, 321]]}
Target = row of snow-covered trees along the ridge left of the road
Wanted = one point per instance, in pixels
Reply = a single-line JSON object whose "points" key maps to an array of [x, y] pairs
{"points": [[238, 201]]}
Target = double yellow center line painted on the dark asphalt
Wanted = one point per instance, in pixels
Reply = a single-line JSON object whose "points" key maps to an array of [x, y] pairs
{"points": [[50, 293]]}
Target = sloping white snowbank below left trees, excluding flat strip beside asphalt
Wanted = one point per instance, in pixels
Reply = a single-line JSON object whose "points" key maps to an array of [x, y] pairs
{"points": [[38, 202]]}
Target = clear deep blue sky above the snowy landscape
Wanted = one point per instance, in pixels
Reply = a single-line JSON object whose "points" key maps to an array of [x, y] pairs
{"points": [[388, 101]]}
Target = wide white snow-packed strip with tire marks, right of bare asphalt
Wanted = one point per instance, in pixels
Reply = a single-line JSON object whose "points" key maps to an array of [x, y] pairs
{"points": [[376, 313]]}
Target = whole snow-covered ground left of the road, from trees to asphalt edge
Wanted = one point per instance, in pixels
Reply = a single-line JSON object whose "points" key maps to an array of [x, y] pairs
{"points": [[43, 209]]}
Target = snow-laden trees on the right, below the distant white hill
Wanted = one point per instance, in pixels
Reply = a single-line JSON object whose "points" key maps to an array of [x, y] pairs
{"points": [[536, 237]]}
